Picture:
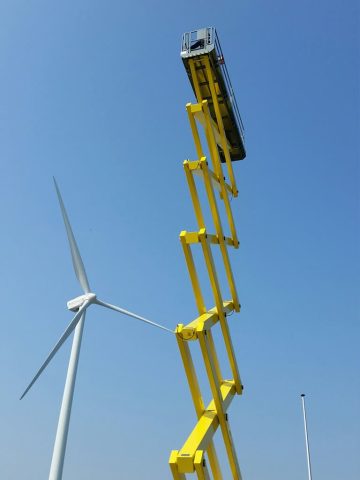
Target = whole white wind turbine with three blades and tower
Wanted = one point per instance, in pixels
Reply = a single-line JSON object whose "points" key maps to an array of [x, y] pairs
{"points": [[78, 305]]}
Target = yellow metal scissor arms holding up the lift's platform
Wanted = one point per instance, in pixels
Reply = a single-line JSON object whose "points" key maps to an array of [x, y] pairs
{"points": [[199, 447]]}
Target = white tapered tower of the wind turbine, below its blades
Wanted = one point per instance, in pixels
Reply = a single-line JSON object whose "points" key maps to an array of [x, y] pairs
{"points": [[57, 462]]}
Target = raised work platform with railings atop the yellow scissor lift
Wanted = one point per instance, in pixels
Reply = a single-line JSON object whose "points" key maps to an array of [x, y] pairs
{"points": [[205, 65]]}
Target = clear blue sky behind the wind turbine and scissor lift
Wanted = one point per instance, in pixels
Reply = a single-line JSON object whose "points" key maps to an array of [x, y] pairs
{"points": [[94, 93]]}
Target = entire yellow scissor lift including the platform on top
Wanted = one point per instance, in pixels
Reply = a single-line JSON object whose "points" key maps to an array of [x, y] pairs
{"points": [[216, 112]]}
